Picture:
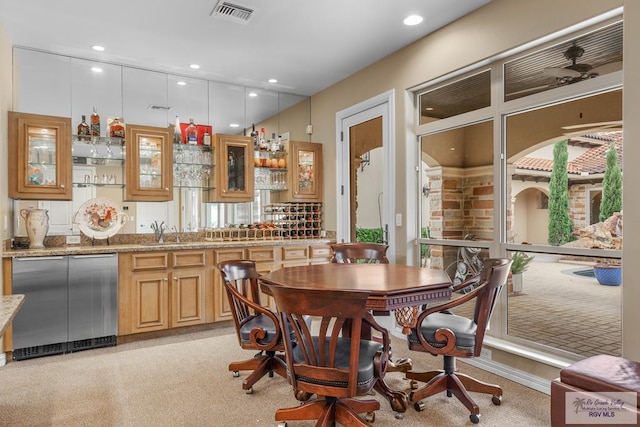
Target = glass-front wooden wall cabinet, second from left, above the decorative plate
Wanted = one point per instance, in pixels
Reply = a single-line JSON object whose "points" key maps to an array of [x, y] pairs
{"points": [[149, 158]]}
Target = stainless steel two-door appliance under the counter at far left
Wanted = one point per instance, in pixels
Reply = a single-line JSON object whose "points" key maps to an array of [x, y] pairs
{"points": [[70, 304]]}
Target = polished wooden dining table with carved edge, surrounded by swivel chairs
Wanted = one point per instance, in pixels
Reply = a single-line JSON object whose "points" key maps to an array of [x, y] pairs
{"points": [[390, 287]]}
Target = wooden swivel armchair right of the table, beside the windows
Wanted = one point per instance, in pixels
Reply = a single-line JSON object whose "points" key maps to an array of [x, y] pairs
{"points": [[440, 332]]}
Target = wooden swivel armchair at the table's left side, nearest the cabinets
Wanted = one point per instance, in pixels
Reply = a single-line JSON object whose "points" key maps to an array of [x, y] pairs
{"points": [[257, 327]]}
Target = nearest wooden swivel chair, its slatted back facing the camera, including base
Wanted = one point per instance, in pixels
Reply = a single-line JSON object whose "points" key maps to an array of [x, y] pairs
{"points": [[321, 361]]}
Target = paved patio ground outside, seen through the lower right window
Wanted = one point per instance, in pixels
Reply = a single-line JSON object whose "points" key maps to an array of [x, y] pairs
{"points": [[566, 311]]}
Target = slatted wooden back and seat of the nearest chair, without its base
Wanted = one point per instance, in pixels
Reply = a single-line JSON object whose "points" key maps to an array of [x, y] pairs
{"points": [[322, 361]]}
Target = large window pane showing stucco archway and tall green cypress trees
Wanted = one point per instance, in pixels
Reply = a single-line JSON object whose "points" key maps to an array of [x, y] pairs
{"points": [[567, 202]]}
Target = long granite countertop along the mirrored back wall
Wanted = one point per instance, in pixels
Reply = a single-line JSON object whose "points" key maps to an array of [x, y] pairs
{"points": [[150, 247]]}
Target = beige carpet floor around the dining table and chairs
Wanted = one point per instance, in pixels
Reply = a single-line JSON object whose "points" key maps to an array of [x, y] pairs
{"points": [[183, 380]]}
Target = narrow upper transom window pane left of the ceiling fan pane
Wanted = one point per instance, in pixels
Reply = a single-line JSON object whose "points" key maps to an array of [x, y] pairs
{"points": [[469, 94]]}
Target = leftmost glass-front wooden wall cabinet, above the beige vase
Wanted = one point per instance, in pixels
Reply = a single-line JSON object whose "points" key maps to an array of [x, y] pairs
{"points": [[39, 157]]}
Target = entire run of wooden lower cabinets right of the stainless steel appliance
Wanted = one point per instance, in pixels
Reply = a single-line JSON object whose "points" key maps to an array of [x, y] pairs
{"points": [[169, 289]]}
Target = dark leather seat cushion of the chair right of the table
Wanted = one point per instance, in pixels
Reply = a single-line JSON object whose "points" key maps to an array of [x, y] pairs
{"points": [[464, 329]]}
